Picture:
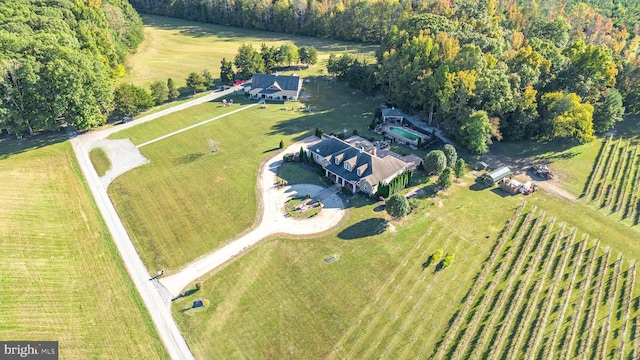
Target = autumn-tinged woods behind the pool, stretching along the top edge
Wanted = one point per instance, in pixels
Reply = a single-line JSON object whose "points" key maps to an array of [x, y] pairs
{"points": [[525, 64]]}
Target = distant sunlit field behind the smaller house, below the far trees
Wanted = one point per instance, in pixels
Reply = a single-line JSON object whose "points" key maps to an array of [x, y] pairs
{"points": [[170, 43]]}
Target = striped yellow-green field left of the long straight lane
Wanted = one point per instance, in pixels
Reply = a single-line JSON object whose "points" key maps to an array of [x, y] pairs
{"points": [[61, 277]]}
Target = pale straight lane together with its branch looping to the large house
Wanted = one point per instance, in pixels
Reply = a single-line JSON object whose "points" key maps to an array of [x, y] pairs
{"points": [[153, 293]]}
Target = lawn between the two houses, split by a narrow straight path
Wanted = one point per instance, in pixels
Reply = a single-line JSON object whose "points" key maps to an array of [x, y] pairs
{"points": [[188, 200]]}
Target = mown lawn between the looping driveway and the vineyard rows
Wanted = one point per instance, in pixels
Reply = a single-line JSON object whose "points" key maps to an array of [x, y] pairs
{"points": [[292, 305]]}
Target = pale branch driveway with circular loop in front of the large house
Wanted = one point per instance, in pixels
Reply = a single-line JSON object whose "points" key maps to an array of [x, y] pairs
{"points": [[274, 221]]}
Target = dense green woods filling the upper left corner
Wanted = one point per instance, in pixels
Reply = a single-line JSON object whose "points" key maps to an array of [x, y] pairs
{"points": [[58, 59]]}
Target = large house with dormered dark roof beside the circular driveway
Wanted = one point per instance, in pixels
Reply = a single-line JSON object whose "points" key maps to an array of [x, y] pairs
{"points": [[353, 167]]}
